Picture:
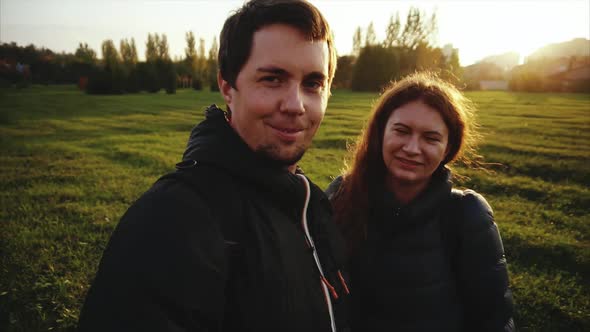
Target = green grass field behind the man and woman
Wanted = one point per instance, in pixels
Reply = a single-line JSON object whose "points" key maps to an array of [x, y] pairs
{"points": [[71, 164]]}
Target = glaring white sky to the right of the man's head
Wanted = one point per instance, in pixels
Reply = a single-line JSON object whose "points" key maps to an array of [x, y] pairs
{"points": [[477, 28]]}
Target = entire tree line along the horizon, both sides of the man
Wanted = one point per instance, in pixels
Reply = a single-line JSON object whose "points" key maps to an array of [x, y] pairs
{"points": [[408, 46]]}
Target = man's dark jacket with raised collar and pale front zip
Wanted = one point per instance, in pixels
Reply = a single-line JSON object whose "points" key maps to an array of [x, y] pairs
{"points": [[169, 266]]}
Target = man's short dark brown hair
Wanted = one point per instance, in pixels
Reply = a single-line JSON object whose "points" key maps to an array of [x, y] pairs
{"points": [[235, 40]]}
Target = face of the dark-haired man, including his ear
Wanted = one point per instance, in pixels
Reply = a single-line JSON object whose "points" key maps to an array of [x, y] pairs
{"points": [[281, 93]]}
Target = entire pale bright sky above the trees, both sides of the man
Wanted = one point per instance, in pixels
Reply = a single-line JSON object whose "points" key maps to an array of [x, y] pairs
{"points": [[478, 28]]}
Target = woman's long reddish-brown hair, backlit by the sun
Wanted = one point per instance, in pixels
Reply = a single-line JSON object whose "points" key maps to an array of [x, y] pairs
{"points": [[366, 173]]}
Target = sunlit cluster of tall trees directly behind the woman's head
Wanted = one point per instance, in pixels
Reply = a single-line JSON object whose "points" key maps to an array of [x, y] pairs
{"points": [[406, 48]]}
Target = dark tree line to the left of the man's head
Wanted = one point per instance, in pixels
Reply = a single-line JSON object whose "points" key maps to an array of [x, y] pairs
{"points": [[118, 70]]}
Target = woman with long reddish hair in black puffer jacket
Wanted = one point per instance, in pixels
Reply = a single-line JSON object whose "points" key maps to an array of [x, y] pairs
{"points": [[423, 257]]}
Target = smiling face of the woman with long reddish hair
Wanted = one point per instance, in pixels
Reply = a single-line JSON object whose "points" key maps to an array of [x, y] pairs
{"points": [[415, 142]]}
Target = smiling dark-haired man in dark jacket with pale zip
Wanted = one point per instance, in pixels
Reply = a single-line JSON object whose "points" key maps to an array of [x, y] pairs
{"points": [[237, 239]]}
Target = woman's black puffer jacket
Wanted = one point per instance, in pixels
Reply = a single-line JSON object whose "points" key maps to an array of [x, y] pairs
{"points": [[407, 277]]}
